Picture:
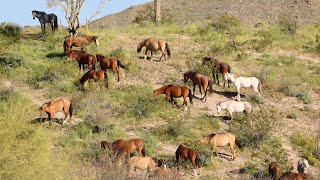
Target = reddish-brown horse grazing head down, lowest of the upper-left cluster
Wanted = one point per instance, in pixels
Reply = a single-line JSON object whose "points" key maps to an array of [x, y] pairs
{"points": [[99, 76]]}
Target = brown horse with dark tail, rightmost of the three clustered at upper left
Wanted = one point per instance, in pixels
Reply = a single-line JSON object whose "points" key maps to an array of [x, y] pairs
{"points": [[110, 63]]}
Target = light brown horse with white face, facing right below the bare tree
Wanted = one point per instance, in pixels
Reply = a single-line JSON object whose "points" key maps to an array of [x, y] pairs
{"points": [[78, 41]]}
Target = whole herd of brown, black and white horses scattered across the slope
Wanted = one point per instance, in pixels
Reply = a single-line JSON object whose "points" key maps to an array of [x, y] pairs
{"points": [[123, 148]]}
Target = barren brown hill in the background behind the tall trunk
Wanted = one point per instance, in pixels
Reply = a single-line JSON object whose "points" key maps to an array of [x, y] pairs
{"points": [[248, 11]]}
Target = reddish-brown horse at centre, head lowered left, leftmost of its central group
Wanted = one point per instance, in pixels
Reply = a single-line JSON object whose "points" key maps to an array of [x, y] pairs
{"points": [[176, 91]]}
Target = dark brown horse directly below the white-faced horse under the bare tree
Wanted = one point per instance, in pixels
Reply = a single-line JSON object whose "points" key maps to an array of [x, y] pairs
{"points": [[83, 58]]}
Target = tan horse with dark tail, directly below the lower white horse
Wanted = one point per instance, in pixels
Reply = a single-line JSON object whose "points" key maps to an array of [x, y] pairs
{"points": [[221, 140]]}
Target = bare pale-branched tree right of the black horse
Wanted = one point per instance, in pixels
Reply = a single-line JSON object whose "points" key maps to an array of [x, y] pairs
{"points": [[72, 9]]}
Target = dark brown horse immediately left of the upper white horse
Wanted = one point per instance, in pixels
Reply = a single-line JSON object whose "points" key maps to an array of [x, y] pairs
{"points": [[219, 66]]}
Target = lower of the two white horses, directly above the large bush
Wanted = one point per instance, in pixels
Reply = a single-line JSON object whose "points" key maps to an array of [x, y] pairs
{"points": [[234, 106]]}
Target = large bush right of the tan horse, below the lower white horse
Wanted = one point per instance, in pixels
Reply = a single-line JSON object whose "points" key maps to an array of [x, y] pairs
{"points": [[263, 122]]}
